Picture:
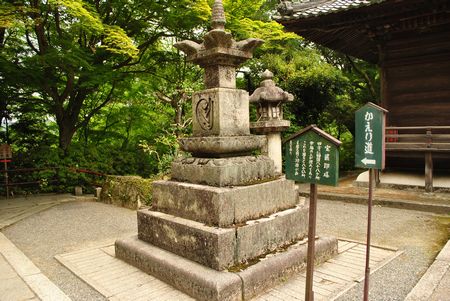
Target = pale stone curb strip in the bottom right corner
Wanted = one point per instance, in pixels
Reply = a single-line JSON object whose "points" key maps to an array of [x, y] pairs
{"points": [[426, 286]]}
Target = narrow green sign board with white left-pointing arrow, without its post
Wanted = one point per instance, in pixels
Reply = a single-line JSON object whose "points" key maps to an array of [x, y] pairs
{"points": [[370, 123]]}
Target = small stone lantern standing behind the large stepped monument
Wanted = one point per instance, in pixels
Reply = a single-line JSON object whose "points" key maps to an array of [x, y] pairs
{"points": [[269, 100]]}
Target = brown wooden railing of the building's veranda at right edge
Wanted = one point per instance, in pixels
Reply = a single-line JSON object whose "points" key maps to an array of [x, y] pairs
{"points": [[427, 140]]}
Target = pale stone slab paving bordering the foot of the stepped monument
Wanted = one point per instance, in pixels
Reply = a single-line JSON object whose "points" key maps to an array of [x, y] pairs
{"points": [[117, 280]]}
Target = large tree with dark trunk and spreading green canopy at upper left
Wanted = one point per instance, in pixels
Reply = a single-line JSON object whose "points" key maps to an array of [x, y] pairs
{"points": [[74, 54]]}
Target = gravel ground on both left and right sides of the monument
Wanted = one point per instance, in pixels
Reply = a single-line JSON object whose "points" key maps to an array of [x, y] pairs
{"points": [[78, 225]]}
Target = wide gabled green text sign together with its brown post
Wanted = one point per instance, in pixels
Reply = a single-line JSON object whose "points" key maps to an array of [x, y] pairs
{"points": [[312, 156]]}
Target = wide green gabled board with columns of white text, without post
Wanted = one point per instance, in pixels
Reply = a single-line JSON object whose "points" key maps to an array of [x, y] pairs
{"points": [[312, 156]]}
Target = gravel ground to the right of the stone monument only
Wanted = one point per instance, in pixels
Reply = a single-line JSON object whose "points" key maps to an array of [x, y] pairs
{"points": [[420, 235]]}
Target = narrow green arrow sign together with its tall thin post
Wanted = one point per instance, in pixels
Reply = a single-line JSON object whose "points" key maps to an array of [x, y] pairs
{"points": [[370, 123]]}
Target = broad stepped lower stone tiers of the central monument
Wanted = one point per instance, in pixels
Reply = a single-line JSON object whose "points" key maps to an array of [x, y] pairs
{"points": [[223, 243]]}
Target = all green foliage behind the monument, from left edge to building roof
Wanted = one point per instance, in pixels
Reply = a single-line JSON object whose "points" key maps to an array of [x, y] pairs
{"points": [[103, 78]]}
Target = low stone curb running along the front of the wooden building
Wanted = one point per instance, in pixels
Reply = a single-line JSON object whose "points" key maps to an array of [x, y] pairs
{"points": [[401, 204]]}
